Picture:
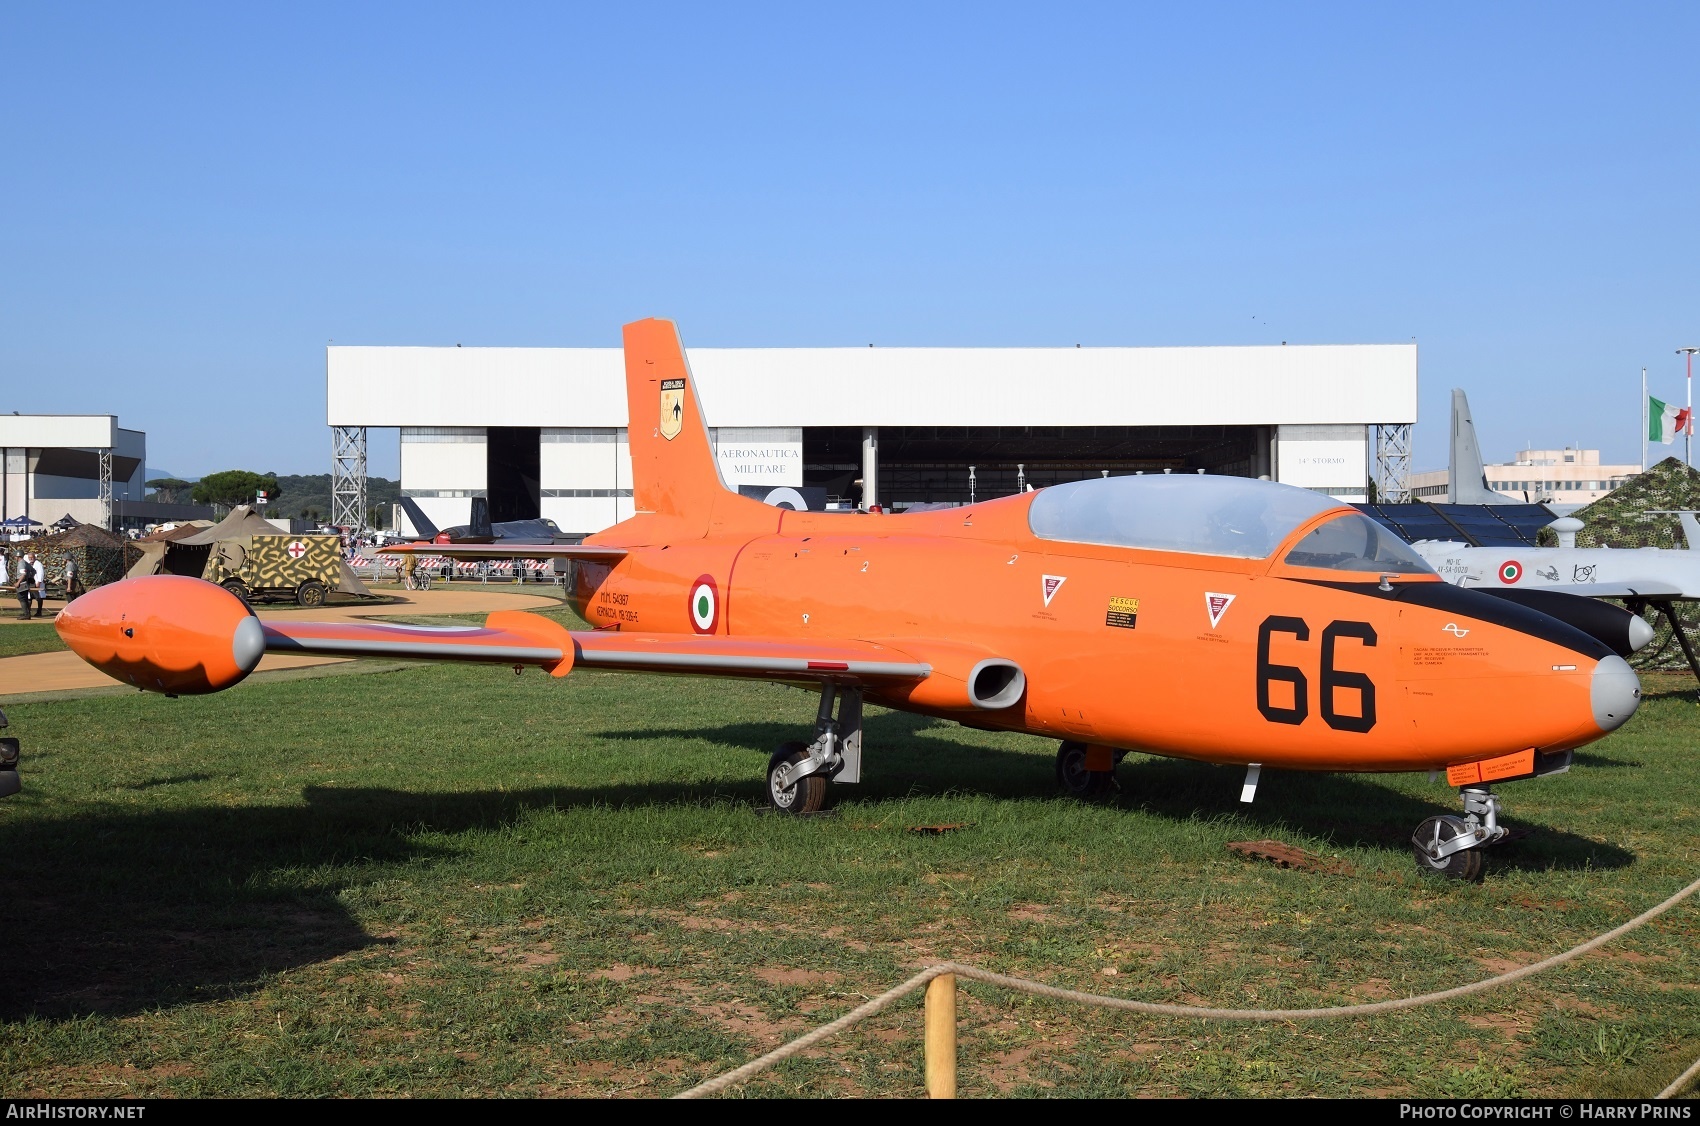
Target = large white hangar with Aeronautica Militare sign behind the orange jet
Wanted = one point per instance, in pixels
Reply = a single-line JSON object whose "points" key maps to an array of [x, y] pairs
{"points": [[543, 431]]}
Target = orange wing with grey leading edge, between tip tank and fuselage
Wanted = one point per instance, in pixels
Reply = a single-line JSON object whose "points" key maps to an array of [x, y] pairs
{"points": [[523, 639]]}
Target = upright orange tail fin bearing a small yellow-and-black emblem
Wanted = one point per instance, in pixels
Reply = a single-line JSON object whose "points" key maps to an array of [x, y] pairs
{"points": [[674, 467]]}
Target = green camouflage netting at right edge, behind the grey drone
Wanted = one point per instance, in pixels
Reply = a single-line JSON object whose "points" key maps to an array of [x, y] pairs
{"points": [[1621, 520]]}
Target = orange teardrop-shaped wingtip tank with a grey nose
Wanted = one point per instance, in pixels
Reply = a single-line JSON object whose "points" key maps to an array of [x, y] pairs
{"points": [[166, 634]]}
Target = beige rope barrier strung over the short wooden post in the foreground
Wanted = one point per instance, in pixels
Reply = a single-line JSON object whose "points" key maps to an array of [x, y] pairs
{"points": [[785, 1052]]}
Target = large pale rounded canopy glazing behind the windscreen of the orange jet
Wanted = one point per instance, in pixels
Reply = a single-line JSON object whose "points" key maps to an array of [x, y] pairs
{"points": [[1228, 516]]}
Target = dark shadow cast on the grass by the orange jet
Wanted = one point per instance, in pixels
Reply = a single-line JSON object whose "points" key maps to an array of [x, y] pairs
{"points": [[122, 913]]}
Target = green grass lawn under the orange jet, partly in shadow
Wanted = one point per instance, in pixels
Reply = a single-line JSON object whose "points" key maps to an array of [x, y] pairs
{"points": [[451, 880]]}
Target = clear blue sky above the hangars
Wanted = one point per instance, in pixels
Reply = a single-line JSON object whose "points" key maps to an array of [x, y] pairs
{"points": [[196, 200]]}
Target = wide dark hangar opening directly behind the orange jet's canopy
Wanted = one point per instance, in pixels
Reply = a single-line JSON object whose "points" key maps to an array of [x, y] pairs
{"points": [[931, 465]]}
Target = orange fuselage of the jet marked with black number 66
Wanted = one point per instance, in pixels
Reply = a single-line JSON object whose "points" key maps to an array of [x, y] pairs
{"points": [[1201, 657]]}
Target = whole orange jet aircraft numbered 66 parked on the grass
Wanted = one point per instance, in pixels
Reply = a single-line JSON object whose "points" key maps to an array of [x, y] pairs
{"points": [[1208, 618]]}
